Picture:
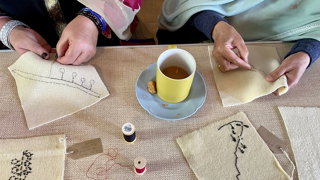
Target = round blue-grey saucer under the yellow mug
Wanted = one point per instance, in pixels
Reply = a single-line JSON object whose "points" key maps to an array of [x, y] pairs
{"points": [[170, 111]]}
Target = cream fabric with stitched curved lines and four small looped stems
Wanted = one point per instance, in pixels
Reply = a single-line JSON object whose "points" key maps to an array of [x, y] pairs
{"points": [[49, 91]]}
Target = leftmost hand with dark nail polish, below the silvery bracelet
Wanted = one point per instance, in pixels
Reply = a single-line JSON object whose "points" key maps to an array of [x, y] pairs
{"points": [[25, 39]]}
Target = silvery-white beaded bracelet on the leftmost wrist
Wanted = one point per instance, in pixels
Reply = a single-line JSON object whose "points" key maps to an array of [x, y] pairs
{"points": [[6, 30]]}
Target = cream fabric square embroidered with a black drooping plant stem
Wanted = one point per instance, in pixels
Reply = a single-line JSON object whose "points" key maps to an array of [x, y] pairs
{"points": [[230, 149]]}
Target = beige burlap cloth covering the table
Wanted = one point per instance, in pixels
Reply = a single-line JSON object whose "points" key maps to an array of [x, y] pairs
{"points": [[119, 68]]}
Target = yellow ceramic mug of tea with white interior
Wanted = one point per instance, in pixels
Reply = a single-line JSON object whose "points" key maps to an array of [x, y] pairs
{"points": [[175, 72]]}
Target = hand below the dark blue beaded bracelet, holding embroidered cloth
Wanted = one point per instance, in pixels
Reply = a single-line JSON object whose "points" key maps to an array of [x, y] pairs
{"points": [[78, 41]]}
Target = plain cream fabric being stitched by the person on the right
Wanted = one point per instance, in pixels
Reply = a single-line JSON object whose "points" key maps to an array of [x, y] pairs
{"points": [[242, 86]]}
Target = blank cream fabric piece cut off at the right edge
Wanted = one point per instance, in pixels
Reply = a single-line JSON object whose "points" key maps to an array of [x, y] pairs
{"points": [[303, 124]]}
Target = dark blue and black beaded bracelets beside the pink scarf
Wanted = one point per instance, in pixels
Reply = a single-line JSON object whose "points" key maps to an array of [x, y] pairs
{"points": [[95, 18]]}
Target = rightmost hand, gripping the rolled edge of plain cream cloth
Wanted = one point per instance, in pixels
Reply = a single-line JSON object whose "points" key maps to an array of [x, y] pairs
{"points": [[292, 67]]}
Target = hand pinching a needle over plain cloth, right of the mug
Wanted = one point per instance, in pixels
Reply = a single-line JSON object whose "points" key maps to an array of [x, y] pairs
{"points": [[226, 42]]}
